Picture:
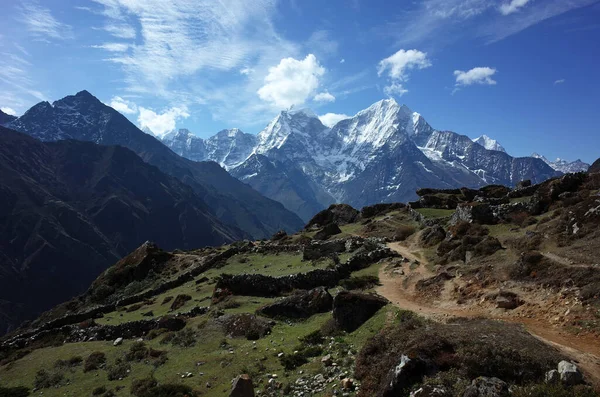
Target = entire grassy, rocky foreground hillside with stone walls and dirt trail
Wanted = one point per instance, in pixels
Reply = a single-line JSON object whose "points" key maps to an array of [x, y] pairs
{"points": [[463, 293]]}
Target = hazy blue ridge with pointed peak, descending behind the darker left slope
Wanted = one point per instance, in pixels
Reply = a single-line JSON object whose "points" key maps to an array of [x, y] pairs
{"points": [[83, 117]]}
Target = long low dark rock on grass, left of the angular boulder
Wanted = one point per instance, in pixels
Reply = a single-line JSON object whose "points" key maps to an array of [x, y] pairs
{"points": [[302, 304]]}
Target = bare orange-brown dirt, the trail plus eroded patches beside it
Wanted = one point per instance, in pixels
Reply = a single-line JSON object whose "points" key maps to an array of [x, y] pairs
{"points": [[538, 316]]}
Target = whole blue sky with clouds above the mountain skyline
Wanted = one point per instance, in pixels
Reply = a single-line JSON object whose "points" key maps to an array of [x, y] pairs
{"points": [[524, 72]]}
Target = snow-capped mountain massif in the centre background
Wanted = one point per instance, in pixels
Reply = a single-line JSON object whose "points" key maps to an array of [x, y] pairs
{"points": [[382, 154]]}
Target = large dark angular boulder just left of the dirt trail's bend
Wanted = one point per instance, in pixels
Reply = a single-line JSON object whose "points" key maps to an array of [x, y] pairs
{"points": [[352, 309]]}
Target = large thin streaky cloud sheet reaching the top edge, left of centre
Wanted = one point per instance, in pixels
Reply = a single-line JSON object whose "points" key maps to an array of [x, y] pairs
{"points": [[185, 51]]}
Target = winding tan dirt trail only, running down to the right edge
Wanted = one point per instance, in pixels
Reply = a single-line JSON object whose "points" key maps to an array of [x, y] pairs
{"points": [[584, 350]]}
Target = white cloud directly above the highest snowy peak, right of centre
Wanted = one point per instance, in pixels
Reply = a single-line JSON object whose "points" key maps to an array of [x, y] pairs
{"points": [[397, 67]]}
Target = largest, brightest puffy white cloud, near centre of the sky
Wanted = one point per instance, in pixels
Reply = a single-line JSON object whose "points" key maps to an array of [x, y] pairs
{"points": [[291, 82]]}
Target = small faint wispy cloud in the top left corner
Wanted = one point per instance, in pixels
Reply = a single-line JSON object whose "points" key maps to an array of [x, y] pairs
{"points": [[41, 24]]}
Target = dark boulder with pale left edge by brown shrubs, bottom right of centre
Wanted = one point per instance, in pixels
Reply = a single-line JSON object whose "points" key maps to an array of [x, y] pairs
{"points": [[404, 375]]}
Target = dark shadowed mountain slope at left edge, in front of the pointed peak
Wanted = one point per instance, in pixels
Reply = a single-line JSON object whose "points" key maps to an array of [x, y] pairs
{"points": [[69, 209]]}
